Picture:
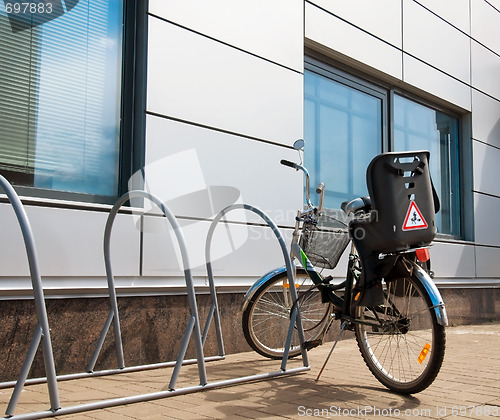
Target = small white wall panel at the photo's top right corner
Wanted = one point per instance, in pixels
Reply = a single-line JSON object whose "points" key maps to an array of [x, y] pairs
{"points": [[485, 21]]}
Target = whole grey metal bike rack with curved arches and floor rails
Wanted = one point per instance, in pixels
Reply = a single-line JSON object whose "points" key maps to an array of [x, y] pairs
{"points": [[42, 332]]}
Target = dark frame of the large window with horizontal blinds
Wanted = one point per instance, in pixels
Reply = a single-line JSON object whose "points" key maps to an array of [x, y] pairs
{"points": [[132, 111]]}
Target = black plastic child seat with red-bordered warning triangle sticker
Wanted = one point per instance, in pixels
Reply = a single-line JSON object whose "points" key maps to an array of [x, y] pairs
{"points": [[404, 205]]}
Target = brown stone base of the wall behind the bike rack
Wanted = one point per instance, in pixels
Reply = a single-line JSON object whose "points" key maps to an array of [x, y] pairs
{"points": [[153, 327]]}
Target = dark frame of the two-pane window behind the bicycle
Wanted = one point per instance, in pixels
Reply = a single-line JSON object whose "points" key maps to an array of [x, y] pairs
{"points": [[386, 91]]}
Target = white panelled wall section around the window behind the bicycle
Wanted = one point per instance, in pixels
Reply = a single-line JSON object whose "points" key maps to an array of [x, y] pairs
{"points": [[442, 51]]}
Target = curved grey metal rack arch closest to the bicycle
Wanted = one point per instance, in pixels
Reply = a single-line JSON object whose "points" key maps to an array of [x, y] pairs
{"points": [[295, 316]]}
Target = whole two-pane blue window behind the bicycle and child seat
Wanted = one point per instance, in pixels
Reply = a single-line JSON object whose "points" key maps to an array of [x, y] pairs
{"points": [[345, 121]]}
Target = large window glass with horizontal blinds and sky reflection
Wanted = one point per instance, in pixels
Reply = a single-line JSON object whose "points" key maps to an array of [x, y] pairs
{"points": [[61, 98]]}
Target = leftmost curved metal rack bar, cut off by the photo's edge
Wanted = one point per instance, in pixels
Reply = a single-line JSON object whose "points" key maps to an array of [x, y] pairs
{"points": [[41, 310]]}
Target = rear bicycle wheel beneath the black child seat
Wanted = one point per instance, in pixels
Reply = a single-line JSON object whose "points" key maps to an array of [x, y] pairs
{"points": [[406, 351]]}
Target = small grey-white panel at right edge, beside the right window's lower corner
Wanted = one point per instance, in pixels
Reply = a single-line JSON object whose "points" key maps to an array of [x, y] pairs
{"points": [[486, 211]]}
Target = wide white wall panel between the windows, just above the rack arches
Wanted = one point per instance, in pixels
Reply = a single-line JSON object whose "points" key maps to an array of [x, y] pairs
{"points": [[182, 159]]}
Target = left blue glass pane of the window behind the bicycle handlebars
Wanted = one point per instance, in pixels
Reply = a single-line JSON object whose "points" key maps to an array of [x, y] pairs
{"points": [[343, 132]]}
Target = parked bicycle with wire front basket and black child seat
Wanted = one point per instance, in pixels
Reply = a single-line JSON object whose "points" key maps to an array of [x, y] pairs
{"points": [[388, 297]]}
